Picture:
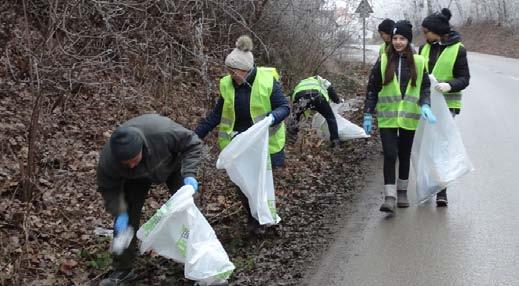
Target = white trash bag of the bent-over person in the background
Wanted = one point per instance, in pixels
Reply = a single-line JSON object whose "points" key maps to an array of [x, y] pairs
{"points": [[346, 129]]}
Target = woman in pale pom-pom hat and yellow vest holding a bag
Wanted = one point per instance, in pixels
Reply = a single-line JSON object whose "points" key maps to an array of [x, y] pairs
{"points": [[248, 94]]}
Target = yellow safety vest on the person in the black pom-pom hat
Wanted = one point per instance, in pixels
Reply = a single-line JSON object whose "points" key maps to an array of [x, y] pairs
{"points": [[444, 70]]}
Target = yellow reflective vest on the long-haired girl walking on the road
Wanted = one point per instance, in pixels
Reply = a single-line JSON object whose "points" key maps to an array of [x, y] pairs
{"points": [[393, 111]]}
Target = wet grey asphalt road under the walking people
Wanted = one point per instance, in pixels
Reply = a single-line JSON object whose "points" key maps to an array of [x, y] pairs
{"points": [[475, 241]]}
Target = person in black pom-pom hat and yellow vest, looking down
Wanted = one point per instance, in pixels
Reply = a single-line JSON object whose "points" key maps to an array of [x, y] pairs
{"points": [[446, 59]]}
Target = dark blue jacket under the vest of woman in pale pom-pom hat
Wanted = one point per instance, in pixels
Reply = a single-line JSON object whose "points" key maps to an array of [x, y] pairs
{"points": [[278, 102]]}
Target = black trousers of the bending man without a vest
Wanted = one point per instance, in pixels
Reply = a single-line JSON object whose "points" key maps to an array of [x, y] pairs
{"points": [[135, 193]]}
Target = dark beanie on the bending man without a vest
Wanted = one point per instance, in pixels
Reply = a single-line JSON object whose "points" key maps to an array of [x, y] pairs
{"points": [[125, 143]]}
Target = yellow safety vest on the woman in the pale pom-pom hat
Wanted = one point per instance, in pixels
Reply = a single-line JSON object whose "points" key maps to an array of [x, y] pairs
{"points": [[259, 108]]}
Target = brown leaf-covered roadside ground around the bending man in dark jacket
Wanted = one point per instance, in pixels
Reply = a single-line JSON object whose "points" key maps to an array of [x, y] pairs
{"points": [[52, 240]]}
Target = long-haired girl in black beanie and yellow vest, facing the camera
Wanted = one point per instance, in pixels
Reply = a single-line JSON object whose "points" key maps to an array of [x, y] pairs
{"points": [[398, 89]]}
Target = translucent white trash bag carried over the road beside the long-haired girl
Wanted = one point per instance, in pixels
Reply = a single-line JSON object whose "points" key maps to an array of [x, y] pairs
{"points": [[438, 154]]}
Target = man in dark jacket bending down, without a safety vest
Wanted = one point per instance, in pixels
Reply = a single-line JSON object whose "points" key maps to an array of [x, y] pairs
{"points": [[148, 149]]}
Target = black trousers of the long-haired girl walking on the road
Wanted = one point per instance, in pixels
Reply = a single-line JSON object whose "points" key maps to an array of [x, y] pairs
{"points": [[396, 144]]}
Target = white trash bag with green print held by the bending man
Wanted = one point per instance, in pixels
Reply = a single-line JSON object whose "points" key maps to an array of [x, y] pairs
{"points": [[179, 231]]}
